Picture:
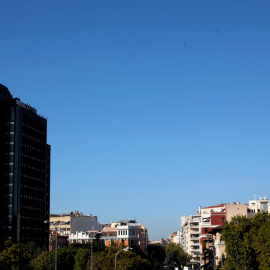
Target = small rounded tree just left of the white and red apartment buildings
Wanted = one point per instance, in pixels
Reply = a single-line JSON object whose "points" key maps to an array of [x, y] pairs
{"points": [[176, 256]]}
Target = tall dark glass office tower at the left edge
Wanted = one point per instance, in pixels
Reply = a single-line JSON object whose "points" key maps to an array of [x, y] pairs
{"points": [[24, 172]]}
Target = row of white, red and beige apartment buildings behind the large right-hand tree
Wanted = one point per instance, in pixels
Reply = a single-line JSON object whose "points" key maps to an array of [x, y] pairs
{"points": [[202, 232]]}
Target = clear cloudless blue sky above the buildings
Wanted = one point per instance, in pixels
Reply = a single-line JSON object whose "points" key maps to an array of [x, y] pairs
{"points": [[154, 107]]}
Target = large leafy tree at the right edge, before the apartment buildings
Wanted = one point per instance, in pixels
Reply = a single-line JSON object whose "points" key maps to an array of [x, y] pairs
{"points": [[248, 242]]}
